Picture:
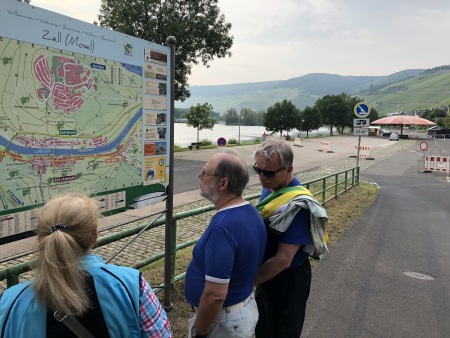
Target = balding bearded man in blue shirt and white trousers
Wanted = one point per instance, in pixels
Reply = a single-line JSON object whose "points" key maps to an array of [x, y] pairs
{"points": [[219, 279]]}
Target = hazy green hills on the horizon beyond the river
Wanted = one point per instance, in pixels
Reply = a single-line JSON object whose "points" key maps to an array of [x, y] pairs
{"points": [[404, 90]]}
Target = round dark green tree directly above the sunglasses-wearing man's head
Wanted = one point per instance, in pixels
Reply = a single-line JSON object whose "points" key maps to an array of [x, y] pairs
{"points": [[281, 116]]}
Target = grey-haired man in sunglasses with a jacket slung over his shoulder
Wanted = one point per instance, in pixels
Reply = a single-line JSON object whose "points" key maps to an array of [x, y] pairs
{"points": [[284, 279]]}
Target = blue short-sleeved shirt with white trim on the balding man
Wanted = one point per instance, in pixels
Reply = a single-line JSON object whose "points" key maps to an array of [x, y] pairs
{"points": [[230, 251]]}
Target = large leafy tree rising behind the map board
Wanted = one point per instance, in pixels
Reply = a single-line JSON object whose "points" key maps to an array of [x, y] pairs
{"points": [[200, 29]]}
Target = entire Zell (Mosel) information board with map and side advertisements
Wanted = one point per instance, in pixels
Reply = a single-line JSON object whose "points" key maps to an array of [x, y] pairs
{"points": [[82, 108]]}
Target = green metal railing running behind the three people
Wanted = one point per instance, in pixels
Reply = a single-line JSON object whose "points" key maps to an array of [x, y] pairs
{"points": [[323, 189]]}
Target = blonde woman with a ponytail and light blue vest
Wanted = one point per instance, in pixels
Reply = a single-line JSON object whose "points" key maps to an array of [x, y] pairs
{"points": [[72, 284]]}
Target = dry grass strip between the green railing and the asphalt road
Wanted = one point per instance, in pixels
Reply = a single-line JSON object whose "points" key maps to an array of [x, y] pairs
{"points": [[342, 211]]}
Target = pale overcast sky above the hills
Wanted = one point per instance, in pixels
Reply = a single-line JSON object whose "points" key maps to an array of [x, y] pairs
{"points": [[282, 39]]}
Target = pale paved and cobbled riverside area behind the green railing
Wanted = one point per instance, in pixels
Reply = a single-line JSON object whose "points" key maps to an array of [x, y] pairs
{"points": [[307, 155]]}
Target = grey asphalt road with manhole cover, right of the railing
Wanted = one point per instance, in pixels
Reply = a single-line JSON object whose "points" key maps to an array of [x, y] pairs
{"points": [[389, 275]]}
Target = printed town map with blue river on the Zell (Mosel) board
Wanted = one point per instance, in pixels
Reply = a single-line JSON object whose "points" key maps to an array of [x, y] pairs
{"points": [[67, 122]]}
